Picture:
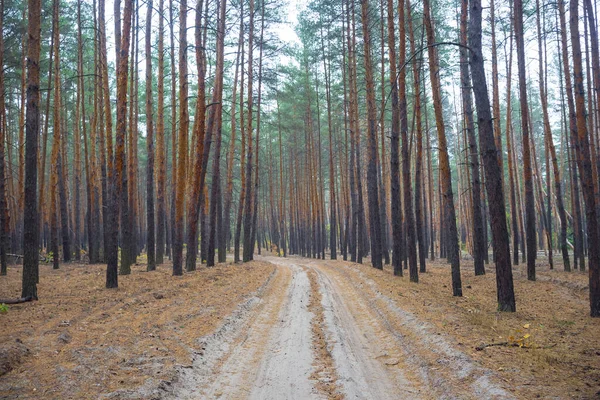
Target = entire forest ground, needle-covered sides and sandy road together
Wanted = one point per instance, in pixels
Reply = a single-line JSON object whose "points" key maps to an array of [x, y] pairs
{"points": [[282, 328]]}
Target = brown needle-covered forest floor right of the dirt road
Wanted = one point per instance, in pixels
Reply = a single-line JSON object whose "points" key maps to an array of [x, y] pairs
{"points": [[560, 357]]}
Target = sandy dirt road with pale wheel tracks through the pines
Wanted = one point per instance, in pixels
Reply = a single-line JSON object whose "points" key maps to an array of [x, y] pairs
{"points": [[323, 330]]}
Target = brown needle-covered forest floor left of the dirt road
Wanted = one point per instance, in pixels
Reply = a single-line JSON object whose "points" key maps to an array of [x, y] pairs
{"points": [[86, 340]]}
